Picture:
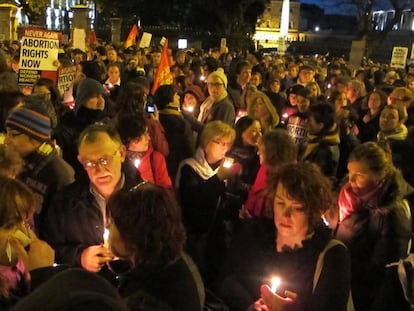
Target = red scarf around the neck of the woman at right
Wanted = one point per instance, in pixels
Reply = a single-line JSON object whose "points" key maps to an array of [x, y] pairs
{"points": [[349, 201]]}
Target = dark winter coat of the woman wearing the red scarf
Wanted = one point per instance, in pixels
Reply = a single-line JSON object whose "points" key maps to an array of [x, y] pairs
{"points": [[376, 233]]}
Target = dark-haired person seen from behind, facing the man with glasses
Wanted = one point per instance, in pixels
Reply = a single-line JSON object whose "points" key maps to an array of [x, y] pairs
{"points": [[146, 229]]}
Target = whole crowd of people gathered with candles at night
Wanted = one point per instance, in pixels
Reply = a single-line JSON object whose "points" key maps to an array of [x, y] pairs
{"points": [[252, 182]]}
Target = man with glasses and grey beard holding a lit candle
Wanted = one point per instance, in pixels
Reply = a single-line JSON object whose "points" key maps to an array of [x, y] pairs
{"points": [[78, 216]]}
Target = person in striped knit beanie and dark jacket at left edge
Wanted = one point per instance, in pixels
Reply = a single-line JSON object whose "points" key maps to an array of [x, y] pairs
{"points": [[44, 171]]}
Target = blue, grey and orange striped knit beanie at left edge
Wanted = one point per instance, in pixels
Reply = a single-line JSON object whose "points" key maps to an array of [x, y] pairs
{"points": [[31, 120]]}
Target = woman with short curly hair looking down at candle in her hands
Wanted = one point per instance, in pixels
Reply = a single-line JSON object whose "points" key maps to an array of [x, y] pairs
{"points": [[290, 246]]}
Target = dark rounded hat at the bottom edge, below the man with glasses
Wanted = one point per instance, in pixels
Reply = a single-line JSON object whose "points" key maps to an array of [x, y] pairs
{"points": [[73, 289]]}
